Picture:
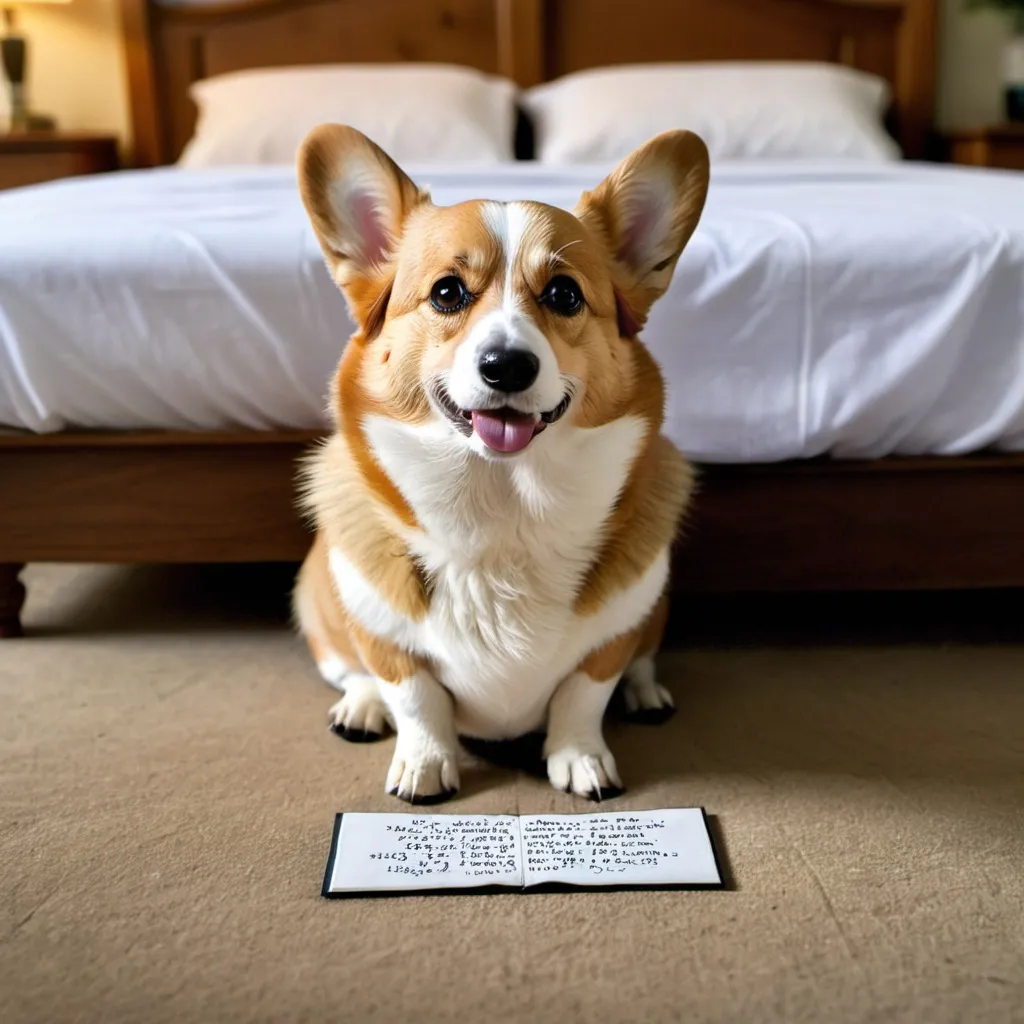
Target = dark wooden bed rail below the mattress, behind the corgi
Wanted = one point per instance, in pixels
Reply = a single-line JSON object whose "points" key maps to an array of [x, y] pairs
{"points": [[892, 525]]}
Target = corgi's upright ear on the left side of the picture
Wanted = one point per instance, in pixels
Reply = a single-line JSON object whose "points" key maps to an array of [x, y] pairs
{"points": [[358, 199]]}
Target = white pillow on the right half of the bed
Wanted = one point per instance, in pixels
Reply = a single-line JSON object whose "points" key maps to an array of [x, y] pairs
{"points": [[744, 111]]}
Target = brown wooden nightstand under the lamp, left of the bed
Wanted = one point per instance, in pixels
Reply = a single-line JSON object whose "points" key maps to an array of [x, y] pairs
{"points": [[27, 160]]}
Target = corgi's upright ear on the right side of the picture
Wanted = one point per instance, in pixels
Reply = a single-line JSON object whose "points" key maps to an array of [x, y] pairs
{"points": [[646, 211]]}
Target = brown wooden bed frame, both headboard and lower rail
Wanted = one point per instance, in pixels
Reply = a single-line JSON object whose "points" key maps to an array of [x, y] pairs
{"points": [[229, 497]]}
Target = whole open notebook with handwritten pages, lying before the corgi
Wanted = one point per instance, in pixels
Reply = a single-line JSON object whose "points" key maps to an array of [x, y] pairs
{"points": [[397, 855]]}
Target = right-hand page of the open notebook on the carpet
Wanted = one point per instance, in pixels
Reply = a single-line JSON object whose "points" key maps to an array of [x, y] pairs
{"points": [[625, 848]]}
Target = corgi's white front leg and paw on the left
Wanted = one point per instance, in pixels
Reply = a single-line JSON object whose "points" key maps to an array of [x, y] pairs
{"points": [[425, 767]]}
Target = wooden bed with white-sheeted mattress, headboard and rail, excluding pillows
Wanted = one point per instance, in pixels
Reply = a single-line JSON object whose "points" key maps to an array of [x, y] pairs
{"points": [[905, 477]]}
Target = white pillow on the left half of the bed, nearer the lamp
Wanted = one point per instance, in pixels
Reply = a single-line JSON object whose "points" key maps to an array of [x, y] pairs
{"points": [[417, 113]]}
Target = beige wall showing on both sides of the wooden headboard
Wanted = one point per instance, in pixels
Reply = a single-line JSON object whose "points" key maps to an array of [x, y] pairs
{"points": [[77, 70]]}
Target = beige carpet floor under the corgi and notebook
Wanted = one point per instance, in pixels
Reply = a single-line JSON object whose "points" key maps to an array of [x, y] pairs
{"points": [[168, 787]]}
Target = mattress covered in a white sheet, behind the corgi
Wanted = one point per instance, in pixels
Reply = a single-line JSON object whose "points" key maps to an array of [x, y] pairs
{"points": [[852, 312]]}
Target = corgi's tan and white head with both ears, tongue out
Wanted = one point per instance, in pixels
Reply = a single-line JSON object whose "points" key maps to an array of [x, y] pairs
{"points": [[499, 320]]}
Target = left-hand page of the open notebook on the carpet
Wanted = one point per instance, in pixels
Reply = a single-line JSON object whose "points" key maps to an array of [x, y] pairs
{"points": [[406, 852]]}
